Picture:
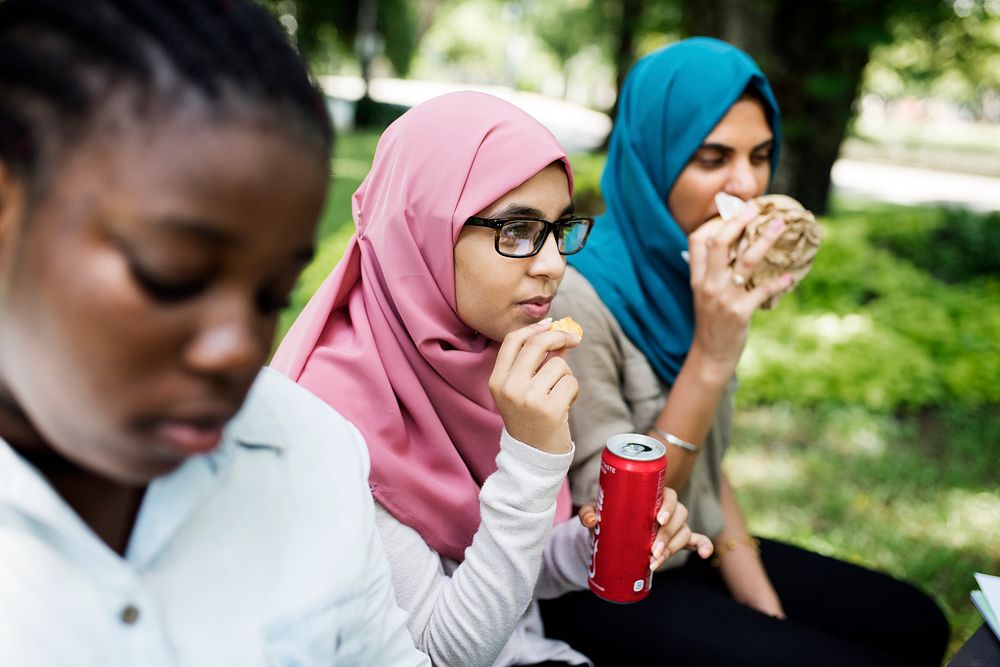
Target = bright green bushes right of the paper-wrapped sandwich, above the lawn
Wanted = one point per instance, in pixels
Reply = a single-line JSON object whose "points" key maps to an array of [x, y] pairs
{"points": [[876, 327]]}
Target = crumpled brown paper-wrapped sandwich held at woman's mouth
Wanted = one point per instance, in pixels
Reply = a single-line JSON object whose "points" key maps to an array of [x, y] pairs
{"points": [[792, 253]]}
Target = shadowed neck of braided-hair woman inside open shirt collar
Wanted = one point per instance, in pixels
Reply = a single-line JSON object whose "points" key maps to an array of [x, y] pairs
{"points": [[107, 506]]}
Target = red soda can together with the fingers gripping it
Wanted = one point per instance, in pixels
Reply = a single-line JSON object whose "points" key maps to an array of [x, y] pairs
{"points": [[629, 518]]}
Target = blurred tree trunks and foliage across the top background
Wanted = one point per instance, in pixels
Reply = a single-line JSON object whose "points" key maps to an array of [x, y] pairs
{"points": [[815, 54]]}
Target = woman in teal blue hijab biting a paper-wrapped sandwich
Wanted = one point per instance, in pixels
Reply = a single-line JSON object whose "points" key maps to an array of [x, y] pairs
{"points": [[666, 319]]}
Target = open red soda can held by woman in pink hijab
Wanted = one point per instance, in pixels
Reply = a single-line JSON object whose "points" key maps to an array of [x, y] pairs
{"points": [[629, 496]]}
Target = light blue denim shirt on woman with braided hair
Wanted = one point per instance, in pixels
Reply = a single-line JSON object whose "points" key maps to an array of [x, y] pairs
{"points": [[263, 552]]}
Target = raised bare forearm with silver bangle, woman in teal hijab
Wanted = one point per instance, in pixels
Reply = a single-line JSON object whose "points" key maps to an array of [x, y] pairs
{"points": [[689, 413]]}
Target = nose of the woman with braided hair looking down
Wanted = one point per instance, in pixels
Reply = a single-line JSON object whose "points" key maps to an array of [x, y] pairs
{"points": [[231, 344]]}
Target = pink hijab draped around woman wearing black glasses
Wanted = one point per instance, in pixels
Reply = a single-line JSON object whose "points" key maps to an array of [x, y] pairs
{"points": [[381, 340]]}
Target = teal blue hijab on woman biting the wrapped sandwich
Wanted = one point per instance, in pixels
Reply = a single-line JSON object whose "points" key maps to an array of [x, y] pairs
{"points": [[671, 100]]}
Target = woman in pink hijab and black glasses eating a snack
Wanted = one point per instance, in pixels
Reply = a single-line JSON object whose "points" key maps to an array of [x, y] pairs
{"points": [[429, 336]]}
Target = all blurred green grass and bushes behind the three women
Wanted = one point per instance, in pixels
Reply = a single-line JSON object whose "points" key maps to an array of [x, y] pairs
{"points": [[869, 421]]}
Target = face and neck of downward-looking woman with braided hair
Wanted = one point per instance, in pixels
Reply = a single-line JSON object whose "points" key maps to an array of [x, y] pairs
{"points": [[139, 297]]}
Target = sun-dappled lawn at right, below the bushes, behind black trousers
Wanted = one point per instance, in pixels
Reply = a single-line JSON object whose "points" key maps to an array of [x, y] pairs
{"points": [[916, 496]]}
